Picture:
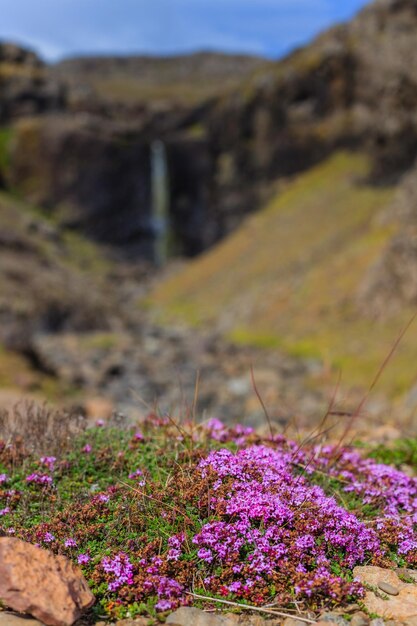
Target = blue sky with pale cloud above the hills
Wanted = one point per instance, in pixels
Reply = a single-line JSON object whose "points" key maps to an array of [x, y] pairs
{"points": [[59, 28]]}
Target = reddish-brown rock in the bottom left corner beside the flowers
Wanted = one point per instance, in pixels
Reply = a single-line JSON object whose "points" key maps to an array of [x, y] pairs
{"points": [[34, 581]]}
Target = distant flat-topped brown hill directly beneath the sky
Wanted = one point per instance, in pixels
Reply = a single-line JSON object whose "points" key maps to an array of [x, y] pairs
{"points": [[186, 79]]}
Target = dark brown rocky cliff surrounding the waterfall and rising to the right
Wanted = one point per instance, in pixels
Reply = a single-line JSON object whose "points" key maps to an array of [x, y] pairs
{"points": [[355, 86]]}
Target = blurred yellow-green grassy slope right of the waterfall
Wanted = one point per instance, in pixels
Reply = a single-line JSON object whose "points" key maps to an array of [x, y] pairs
{"points": [[289, 277]]}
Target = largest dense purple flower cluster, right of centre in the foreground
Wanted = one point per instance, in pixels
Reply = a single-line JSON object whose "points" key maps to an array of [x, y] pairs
{"points": [[269, 519]]}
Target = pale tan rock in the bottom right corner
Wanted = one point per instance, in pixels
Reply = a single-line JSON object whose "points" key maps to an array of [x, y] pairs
{"points": [[399, 604]]}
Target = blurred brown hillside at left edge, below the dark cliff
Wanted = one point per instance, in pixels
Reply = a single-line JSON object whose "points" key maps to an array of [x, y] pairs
{"points": [[52, 281]]}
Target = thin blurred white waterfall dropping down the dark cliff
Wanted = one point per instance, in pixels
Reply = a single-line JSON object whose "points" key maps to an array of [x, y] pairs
{"points": [[160, 201]]}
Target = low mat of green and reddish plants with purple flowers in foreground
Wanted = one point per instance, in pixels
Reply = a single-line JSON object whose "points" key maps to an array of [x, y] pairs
{"points": [[153, 516]]}
